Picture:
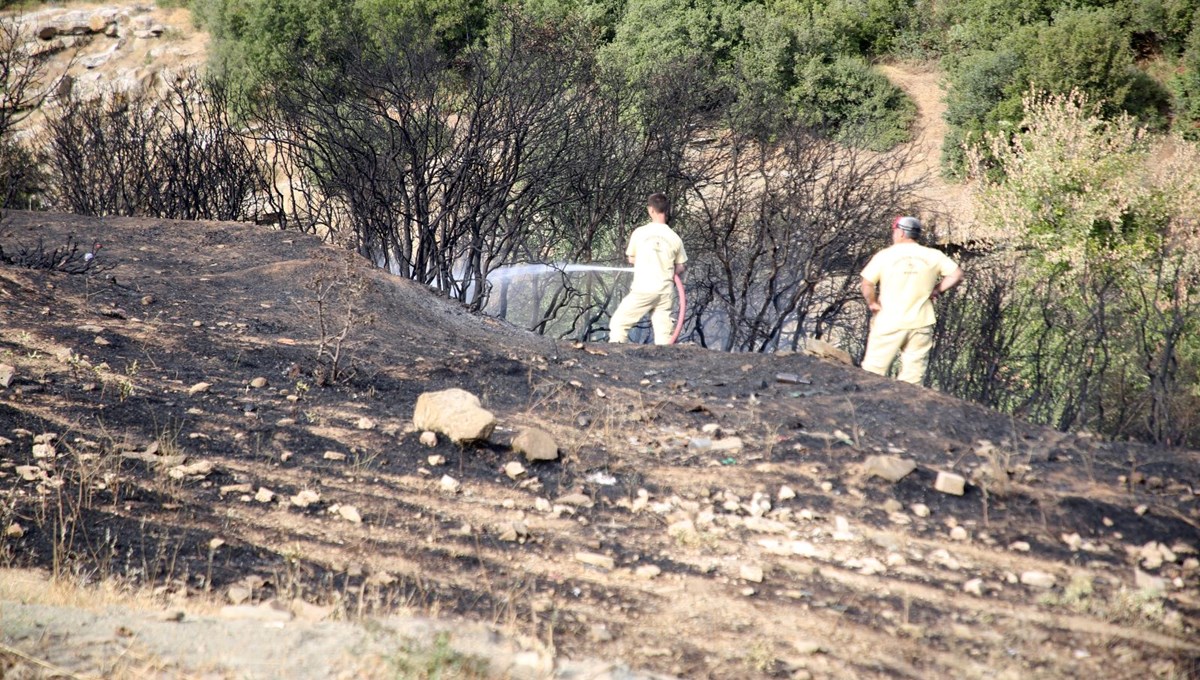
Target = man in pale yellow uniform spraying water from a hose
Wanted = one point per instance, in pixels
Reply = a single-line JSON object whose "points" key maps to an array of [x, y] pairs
{"points": [[658, 256]]}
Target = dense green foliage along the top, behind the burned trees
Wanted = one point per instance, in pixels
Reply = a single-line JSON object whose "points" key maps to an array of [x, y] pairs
{"points": [[793, 61]]}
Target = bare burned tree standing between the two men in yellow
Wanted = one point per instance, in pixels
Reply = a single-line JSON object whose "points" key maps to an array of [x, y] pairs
{"points": [[779, 230]]}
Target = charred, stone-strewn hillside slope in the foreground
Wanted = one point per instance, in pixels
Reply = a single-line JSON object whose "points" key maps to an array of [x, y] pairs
{"points": [[165, 429]]}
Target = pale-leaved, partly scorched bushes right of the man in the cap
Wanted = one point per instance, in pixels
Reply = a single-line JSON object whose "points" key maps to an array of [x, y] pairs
{"points": [[1090, 316]]}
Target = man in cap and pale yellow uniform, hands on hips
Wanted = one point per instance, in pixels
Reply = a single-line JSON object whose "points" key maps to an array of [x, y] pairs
{"points": [[901, 285]]}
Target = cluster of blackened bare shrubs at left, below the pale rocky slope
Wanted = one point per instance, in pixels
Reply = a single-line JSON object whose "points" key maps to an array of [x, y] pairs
{"points": [[177, 155]]}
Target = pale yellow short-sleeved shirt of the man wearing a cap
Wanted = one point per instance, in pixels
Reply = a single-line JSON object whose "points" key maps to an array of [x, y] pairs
{"points": [[905, 275]]}
